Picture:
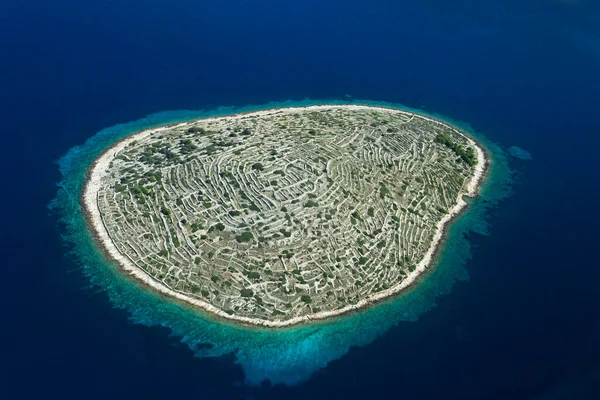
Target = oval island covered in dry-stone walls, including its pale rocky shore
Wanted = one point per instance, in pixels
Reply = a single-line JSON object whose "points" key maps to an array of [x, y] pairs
{"points": [[282, 216]]}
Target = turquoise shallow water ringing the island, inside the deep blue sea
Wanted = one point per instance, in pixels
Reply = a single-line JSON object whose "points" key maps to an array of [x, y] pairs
{"points": [[287, 355]]}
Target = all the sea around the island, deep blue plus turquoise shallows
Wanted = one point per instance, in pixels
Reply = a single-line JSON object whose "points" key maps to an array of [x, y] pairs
{"points": [[509, 312]]}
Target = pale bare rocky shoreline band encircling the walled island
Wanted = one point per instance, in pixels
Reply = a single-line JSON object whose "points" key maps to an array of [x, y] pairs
{"points": [[93, 217]]}
